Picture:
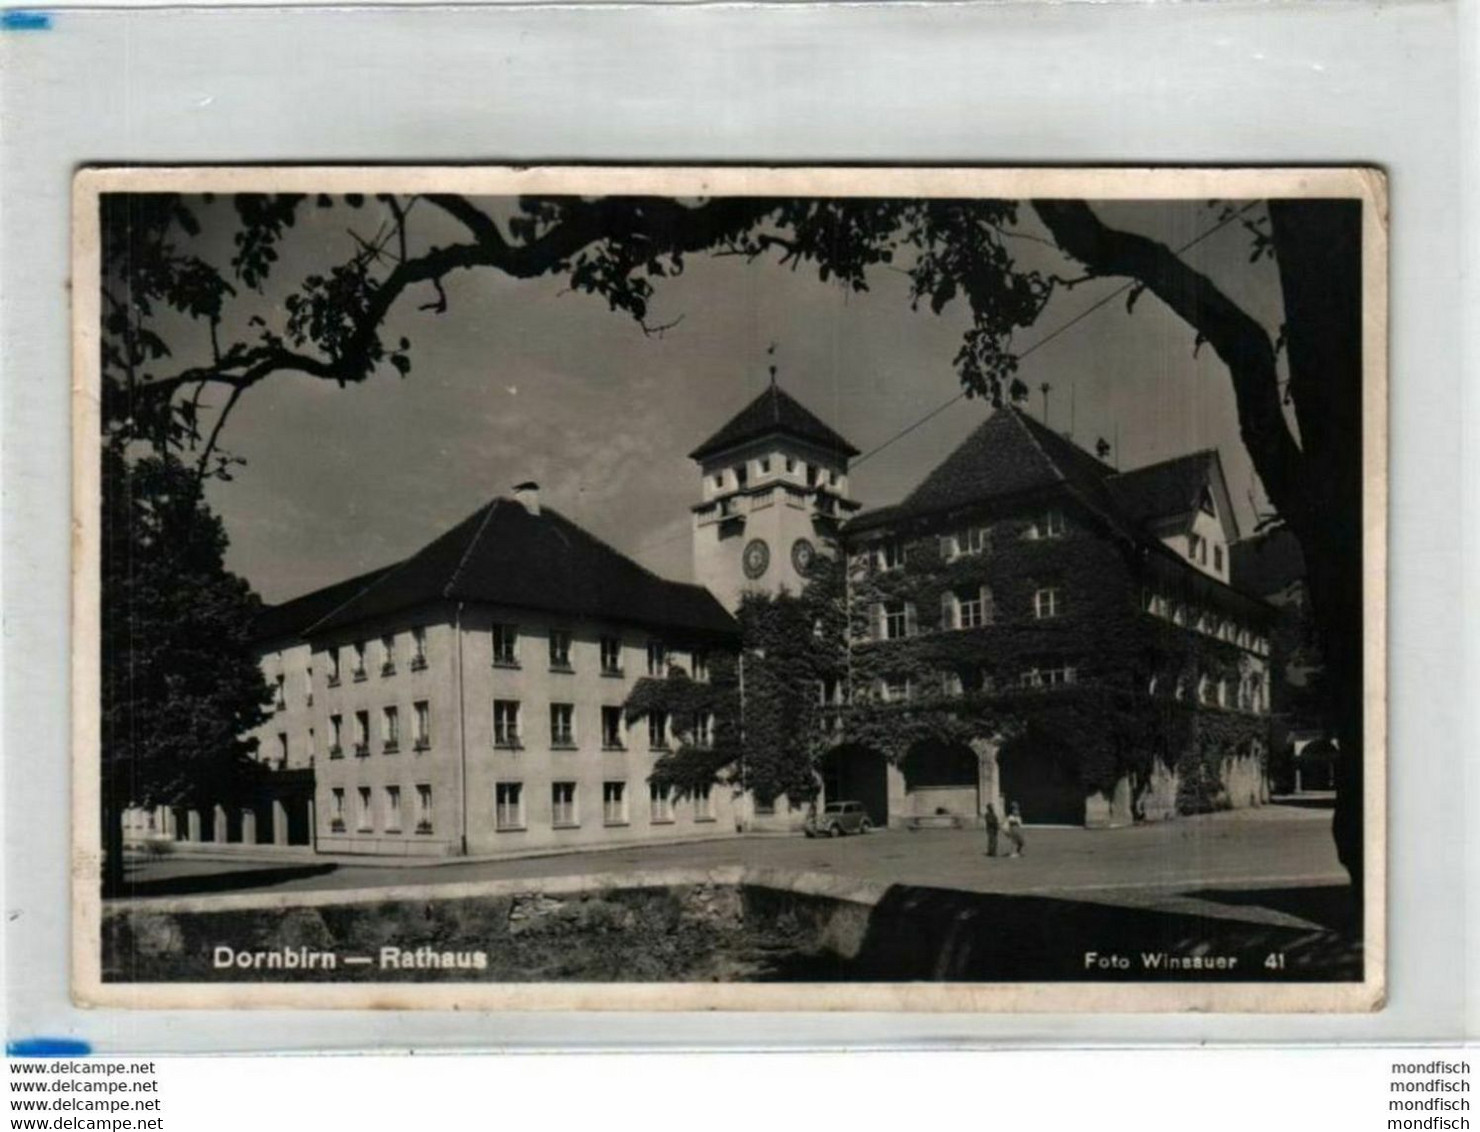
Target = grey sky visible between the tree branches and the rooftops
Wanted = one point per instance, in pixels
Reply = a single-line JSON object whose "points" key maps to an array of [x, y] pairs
{"points": [[526, 381]]}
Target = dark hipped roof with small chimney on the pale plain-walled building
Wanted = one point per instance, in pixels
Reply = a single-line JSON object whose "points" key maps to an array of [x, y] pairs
{"points": [[505, 556]]}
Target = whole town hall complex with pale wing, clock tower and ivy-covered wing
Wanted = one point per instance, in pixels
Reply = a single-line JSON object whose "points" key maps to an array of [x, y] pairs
{"points": [[1072, 625]]}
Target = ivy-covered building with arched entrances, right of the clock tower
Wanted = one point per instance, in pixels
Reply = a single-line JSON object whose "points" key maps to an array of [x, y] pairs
{"points": [[1034, 628]]}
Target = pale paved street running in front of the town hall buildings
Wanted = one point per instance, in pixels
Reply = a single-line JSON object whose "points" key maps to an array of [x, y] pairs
{"points": [[1276, 865]]}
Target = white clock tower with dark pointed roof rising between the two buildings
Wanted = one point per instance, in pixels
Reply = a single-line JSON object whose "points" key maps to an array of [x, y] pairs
{"points": [[775, 491]]}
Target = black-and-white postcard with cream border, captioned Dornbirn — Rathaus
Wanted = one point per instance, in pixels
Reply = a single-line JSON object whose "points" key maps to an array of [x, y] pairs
{"points": [[748, 590]]}
